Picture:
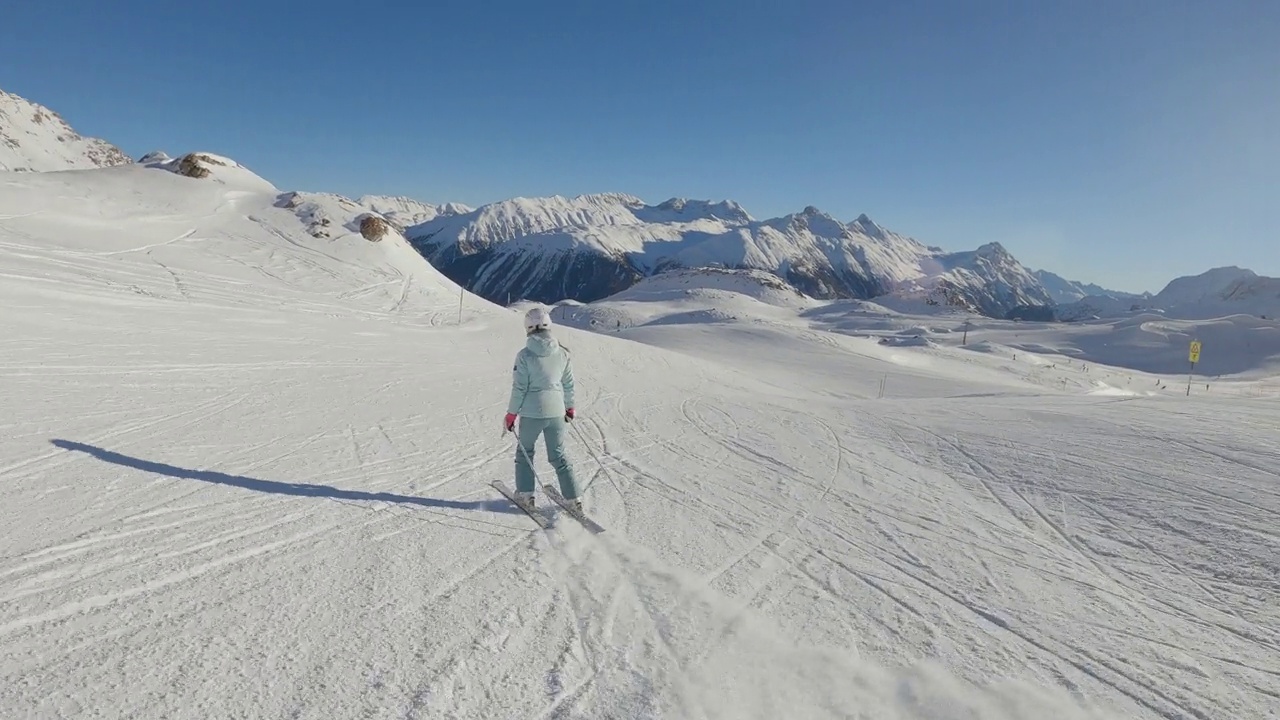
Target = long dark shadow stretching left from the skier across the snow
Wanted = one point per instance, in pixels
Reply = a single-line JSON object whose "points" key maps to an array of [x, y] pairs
{"points": [[276, 487]]}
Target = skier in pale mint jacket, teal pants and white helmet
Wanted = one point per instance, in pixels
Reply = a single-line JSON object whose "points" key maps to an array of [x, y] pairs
{"points": [[542, 397]]}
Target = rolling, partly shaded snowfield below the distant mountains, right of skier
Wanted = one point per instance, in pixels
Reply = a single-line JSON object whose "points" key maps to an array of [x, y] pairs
{"points": [[1242, 348]]}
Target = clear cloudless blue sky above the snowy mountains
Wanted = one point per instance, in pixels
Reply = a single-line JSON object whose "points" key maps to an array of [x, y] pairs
{"points": [[1117, 142]]}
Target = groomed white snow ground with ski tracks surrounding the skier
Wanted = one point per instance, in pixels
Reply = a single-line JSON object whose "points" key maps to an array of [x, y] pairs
{"points": [[245, 473]]}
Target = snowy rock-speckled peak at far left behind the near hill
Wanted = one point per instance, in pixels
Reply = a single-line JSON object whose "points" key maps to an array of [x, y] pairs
{"points": [[35, 139]]}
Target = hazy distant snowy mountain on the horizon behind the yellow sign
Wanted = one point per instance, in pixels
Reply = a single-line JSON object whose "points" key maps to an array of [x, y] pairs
{"points": [[1214, 294]]}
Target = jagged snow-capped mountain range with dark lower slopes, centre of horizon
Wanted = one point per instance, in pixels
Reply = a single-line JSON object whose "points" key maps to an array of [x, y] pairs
{"points": [[595, 247]]}
